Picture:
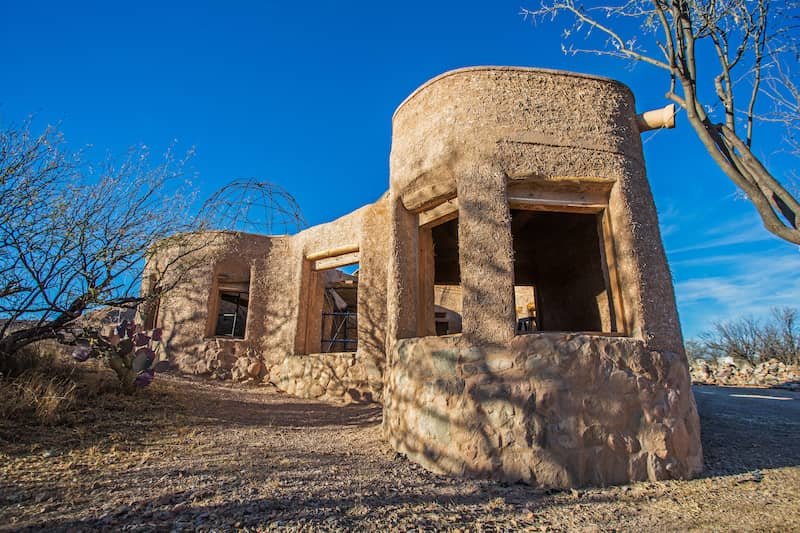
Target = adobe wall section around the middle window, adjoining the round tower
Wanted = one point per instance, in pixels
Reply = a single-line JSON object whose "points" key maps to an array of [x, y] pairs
{"points": [[331, 376]]}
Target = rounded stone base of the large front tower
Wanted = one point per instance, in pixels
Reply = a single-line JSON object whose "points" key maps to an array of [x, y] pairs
{"points": [[552, 409]]}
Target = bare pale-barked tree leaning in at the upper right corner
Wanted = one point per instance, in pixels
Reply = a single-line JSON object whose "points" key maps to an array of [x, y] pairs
{"points": [[754, 44]]}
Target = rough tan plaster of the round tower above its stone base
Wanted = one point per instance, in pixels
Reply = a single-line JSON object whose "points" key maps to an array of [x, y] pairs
{"points": [[473, 133]]}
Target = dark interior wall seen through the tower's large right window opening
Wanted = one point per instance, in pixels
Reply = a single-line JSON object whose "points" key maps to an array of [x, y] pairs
{"points": [[559, 254]]}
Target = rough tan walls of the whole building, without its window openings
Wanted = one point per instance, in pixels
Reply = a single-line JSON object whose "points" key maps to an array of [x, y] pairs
{"points": [[556, 409]]}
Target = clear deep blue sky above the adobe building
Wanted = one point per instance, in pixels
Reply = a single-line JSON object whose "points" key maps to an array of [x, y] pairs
{"points": [[302, 94]]}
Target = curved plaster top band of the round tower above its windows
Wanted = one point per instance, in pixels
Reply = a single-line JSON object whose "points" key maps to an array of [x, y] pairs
{"points": [[528, 121]]}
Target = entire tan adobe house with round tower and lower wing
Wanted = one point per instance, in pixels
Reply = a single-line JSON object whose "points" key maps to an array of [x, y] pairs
{"points": [[512, 310]]}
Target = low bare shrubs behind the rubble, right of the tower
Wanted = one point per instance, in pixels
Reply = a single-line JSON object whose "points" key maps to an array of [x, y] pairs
{"points": [[752, 340]]}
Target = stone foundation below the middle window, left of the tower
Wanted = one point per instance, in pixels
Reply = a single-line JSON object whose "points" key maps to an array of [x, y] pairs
{"points": [[335, 377]]}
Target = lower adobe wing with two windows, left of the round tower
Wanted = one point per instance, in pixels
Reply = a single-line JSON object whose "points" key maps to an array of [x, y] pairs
{"points": [[280, 310]]}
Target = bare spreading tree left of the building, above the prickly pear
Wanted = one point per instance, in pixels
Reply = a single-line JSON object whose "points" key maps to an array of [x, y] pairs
{"points": [[75, 237]]}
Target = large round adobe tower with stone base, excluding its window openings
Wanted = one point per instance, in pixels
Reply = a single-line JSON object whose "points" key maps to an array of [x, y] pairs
{"points": [[557, 409]]}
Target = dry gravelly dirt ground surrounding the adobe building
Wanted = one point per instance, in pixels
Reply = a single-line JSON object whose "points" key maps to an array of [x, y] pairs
{"points": [[192, 455]]}
